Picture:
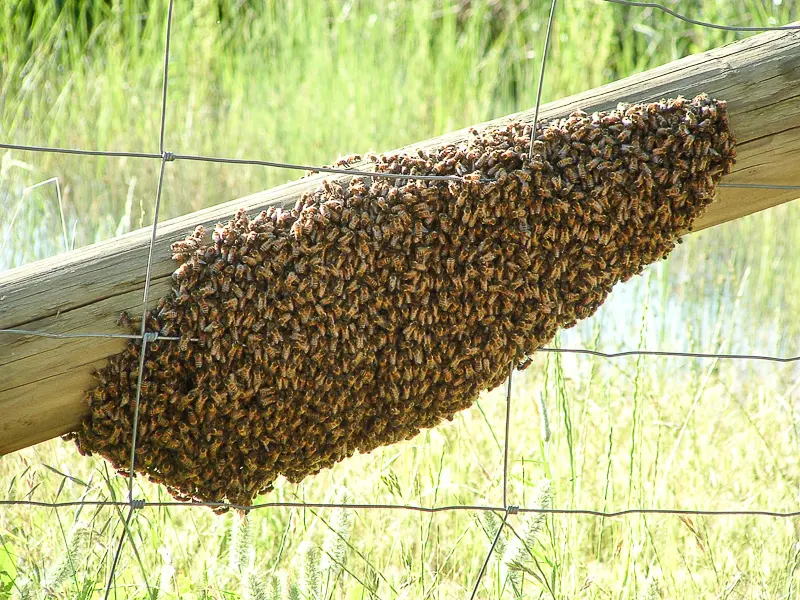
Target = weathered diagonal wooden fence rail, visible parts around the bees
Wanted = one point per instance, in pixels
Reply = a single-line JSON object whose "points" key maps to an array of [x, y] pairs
{"points": [[42, 380]]}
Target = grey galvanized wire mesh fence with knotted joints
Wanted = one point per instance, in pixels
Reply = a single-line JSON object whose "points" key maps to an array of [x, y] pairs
{"points": [[506, 509]]}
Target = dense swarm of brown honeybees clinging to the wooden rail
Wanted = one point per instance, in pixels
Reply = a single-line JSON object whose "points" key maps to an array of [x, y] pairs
{"points": [[377, 307]]}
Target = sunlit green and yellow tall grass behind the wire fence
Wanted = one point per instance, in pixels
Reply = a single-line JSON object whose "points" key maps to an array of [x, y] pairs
{"points": [[306, 81]]}
